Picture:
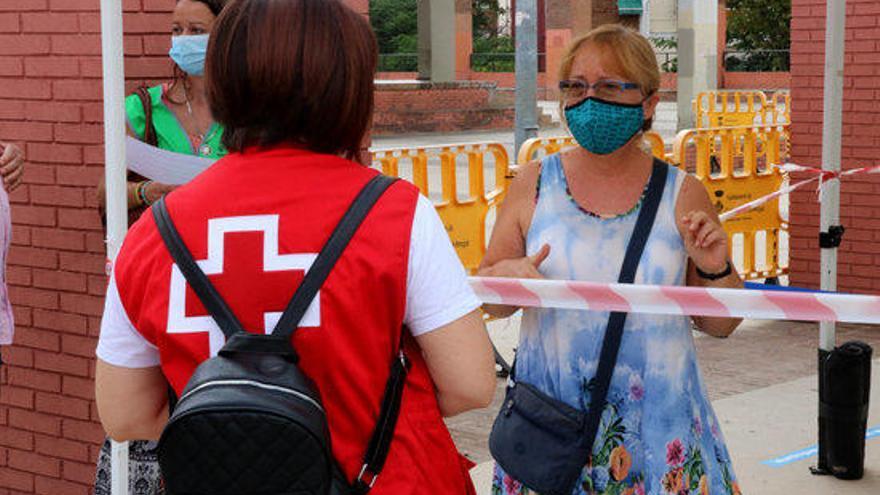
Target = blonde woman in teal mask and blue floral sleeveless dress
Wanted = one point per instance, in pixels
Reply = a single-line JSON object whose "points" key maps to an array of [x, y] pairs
{"points": [[571, 216]]}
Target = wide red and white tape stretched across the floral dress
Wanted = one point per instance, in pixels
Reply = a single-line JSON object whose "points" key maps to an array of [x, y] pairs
{"points": [[674, 300]]}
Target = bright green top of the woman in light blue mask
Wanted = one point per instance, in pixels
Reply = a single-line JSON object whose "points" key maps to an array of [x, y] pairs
{"points": [[172, 136]]}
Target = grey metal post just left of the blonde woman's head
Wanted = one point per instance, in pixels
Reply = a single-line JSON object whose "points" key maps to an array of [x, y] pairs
{"points": [[526, 20]]}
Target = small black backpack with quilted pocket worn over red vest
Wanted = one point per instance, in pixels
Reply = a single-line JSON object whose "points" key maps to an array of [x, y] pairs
{"points": [[250, 421]]}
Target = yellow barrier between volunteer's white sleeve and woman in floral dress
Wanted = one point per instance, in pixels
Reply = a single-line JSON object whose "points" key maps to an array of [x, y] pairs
{"points": [[464, 217]]}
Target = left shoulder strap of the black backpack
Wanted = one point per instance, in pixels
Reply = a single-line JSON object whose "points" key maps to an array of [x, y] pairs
{"points": [[194, 275]]}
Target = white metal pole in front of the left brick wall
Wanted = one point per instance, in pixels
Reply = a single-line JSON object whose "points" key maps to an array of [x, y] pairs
{"points": [[114, 172]]}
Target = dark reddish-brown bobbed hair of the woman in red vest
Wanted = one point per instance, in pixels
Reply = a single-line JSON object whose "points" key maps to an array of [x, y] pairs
{"points": [[294, 71]]}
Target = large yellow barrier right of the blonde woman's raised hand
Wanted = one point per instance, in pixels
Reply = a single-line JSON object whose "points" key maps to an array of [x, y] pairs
{"points": [[734, 165]]}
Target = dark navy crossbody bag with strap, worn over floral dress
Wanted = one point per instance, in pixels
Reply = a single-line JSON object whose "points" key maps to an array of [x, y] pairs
{"points": [[545, 443]]}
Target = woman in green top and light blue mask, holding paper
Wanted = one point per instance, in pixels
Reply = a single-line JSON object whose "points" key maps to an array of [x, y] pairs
{"points": [[175, 117]]}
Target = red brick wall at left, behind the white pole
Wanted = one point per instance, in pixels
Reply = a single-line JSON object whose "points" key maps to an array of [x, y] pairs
{"points": [[50, 103]]}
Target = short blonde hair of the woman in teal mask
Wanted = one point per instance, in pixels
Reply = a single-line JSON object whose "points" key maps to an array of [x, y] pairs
{"points": [[629, 50]]}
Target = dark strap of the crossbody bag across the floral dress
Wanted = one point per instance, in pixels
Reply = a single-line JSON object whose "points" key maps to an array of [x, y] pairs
{"points": [[614, 332]]}
